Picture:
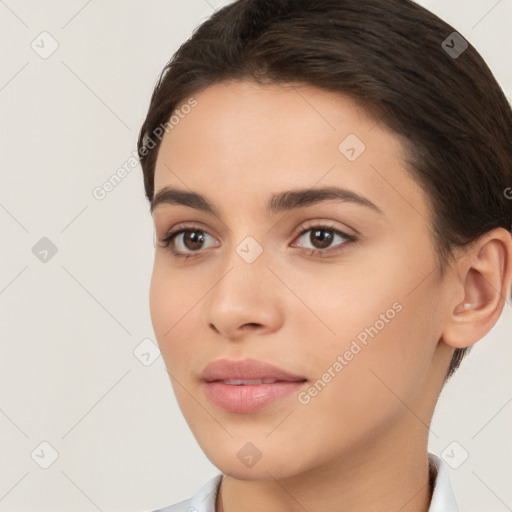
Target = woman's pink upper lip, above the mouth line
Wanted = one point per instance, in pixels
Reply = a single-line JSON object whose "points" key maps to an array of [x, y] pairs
{"points": [[245, 369]]}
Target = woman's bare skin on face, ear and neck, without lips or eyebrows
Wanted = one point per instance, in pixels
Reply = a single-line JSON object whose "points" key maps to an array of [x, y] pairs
{"points": [[368, 428]]}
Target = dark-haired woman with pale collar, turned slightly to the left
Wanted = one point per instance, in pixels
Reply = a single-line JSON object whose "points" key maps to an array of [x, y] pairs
{"points": [[330, 186]]}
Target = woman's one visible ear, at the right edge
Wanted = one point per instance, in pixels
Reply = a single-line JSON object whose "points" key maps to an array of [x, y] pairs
{"points": [[484, 277]]}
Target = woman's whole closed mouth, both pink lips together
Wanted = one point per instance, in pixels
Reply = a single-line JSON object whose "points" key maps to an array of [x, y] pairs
{"points": [[247, 398]]}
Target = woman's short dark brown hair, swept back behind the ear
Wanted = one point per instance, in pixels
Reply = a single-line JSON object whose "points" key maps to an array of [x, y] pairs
{"points": [[454, 120]]}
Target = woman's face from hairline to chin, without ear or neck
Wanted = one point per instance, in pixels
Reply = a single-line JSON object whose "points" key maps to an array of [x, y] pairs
{"points": [[309, 249]]}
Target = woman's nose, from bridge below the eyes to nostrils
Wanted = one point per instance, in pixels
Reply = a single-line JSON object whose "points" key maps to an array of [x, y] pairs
{"points": [[245, 300]]}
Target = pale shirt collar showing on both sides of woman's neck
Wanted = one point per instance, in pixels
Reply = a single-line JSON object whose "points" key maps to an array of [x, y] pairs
{"points": [[443, 499]]}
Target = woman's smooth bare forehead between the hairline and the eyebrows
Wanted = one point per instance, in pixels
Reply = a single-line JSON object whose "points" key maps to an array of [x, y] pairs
{"points": [[256, 139]]}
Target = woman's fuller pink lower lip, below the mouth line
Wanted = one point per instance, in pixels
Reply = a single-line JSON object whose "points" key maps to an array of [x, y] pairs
{"points": [[249, 398]]}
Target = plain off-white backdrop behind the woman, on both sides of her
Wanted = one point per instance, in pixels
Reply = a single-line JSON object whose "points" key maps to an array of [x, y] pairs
{"points": [[78, 392]]}
